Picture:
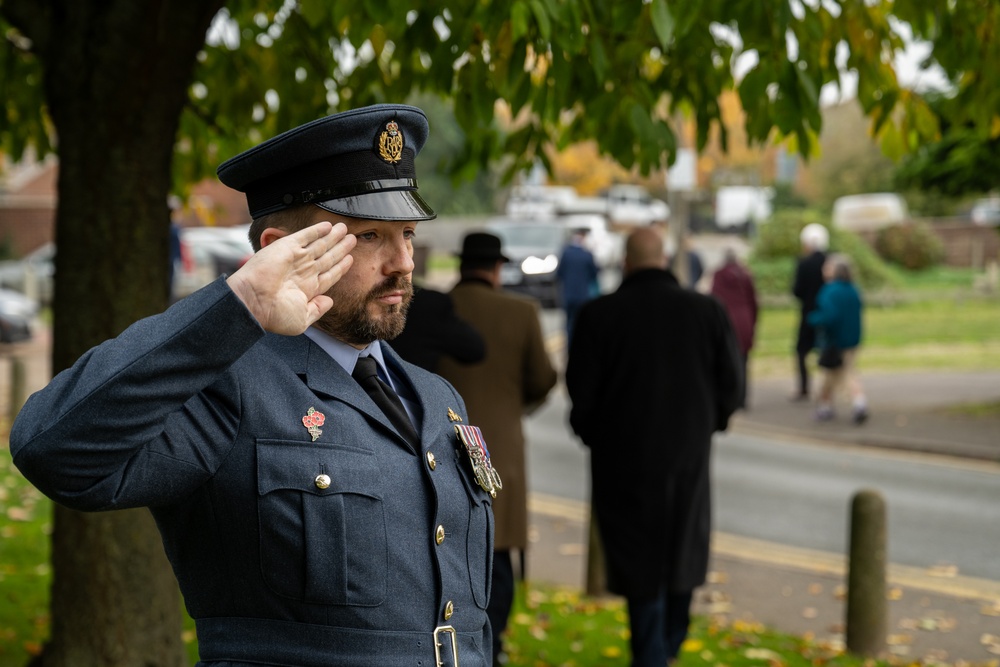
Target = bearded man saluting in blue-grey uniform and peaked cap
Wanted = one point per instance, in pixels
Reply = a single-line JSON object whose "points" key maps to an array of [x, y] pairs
{"points": [[311, 518]]}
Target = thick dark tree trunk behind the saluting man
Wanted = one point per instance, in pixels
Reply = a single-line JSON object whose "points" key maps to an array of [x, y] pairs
{"points": [[117, 73]]}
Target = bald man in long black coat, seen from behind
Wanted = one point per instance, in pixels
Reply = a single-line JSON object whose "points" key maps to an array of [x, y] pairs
{"points": [[653, 371]]}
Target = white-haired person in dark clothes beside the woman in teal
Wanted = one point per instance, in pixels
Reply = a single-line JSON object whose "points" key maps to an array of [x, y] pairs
{"points": [[815, 240]]}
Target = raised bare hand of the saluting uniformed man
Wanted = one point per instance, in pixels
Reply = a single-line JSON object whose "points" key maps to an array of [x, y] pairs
{"points": [[284, 284]]}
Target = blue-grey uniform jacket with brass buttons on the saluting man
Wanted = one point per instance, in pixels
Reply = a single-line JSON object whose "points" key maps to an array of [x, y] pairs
{"points": [[198, 414]]}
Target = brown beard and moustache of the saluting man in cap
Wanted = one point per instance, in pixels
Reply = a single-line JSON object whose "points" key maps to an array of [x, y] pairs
{"points": [[351, 319]]}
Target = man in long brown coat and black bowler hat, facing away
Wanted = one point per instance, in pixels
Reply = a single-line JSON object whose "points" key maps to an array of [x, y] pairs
{"points": [[515, 377]]}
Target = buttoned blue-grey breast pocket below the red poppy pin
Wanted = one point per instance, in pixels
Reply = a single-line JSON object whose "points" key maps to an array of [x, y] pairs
{"points": [[322, 523]]}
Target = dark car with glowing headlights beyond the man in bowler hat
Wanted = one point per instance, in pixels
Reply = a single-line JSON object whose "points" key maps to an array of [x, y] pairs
{"points": [[533, 248]]}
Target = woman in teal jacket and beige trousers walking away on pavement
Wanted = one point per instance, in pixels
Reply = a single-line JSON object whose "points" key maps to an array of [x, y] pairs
{"points": [[838, 320]]}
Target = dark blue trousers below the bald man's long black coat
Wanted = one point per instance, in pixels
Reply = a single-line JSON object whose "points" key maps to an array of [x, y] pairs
{"points": [[659, 627]]}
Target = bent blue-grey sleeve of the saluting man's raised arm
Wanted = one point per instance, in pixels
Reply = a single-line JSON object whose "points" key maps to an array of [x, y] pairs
{"points": [[144, 418]]}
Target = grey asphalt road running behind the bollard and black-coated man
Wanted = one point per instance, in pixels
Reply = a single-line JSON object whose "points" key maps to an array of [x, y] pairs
{"points": [[941, 514]]}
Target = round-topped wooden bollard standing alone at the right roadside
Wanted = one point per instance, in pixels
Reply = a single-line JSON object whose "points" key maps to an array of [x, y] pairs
{"points": [[867, 611]]}
